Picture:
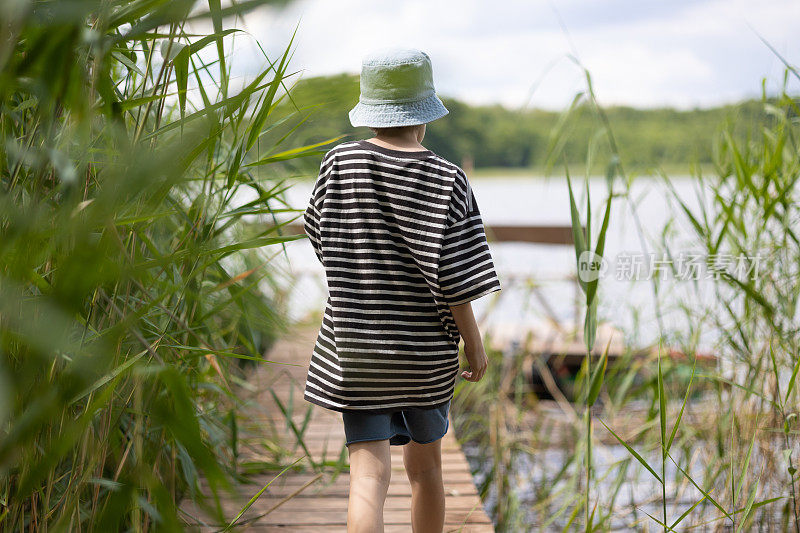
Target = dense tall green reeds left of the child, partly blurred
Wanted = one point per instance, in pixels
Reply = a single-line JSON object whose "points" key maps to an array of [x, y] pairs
{"points": [[135, 239]]}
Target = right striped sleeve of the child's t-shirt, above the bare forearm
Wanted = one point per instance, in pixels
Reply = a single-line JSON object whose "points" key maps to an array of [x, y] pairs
{"points": [[466, 270]]}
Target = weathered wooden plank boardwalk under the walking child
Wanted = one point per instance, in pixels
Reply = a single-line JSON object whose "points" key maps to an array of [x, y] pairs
{"points": [[318, 499]]}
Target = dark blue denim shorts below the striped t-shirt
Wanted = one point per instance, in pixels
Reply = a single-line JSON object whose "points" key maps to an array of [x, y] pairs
{"points": [[400, 427]]}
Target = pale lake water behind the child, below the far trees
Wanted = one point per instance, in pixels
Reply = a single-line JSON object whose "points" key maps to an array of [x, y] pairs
{"points": [[626, 303]]}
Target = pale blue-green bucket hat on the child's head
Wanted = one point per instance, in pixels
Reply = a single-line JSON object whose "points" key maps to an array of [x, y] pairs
{"points": [[396, 90]]}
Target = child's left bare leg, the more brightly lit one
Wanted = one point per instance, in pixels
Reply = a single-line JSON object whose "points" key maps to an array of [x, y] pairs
{"points": [[370, 472]]}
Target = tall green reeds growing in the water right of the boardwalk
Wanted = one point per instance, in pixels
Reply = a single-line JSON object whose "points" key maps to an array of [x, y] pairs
{"points": [[722, 228]]}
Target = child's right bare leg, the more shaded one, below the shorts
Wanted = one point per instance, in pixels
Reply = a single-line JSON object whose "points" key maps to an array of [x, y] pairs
{"points": [[424, 468]]}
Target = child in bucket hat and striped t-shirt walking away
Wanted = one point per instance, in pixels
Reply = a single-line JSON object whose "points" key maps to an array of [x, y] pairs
{"points": [[400, 236]]}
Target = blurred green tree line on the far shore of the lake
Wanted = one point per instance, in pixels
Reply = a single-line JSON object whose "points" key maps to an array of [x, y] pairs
{"points": [[495, 137]]}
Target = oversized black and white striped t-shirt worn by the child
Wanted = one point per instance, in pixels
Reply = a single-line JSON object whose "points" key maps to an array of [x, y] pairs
{"points": [[401, 239]]}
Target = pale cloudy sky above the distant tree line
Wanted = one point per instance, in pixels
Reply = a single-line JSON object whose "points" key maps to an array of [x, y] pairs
{"points": [[518, 53]]}
